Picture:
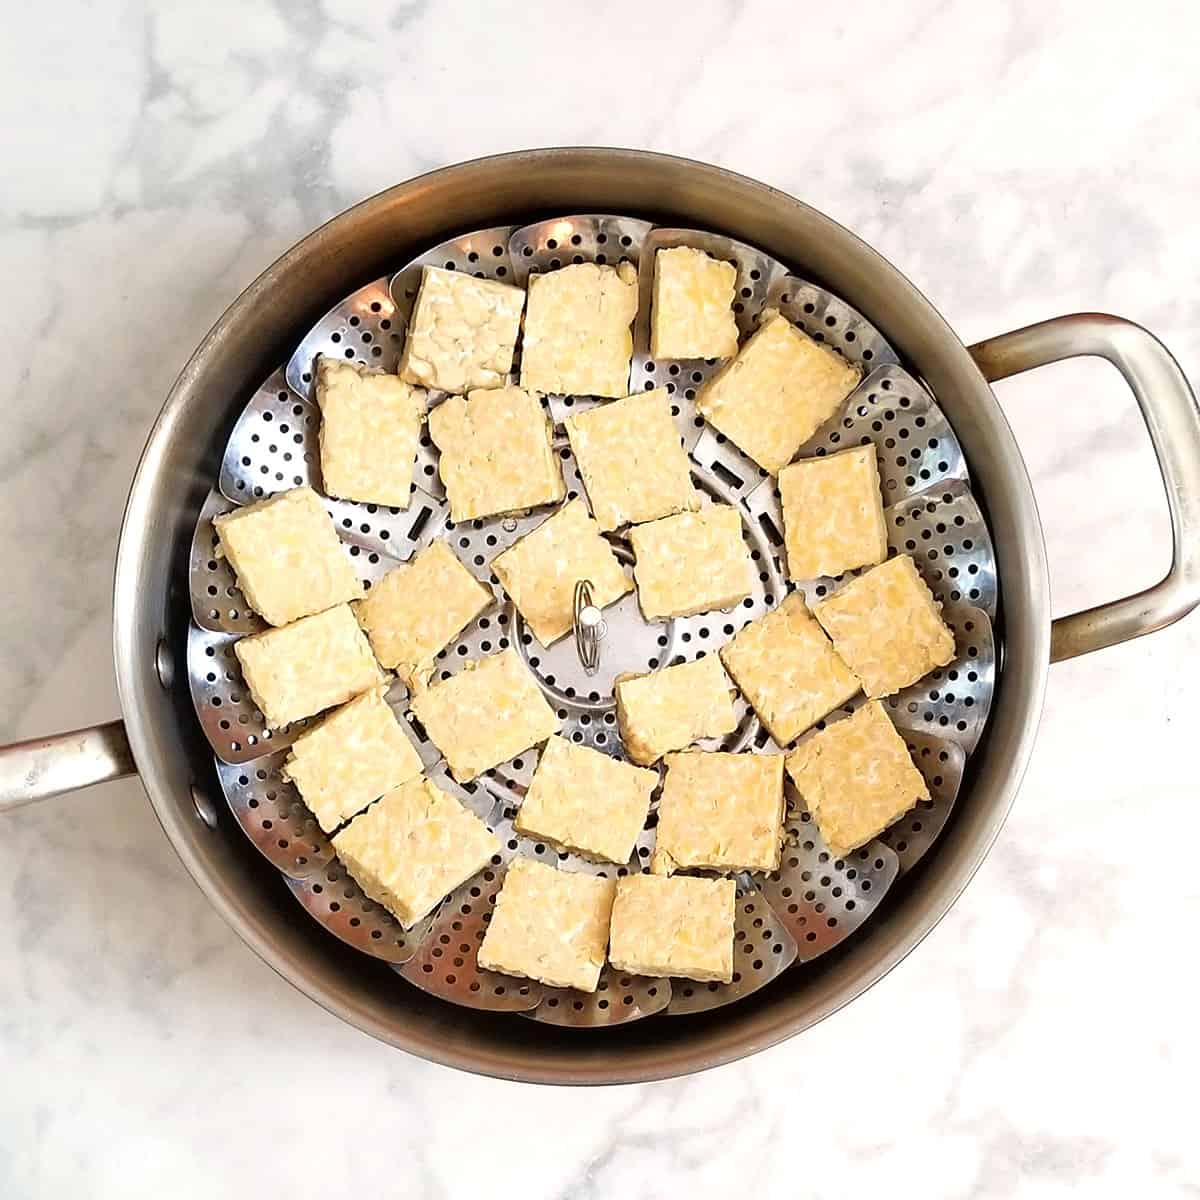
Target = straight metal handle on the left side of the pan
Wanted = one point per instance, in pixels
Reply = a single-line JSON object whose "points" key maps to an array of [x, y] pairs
{"points": [[45, 767]]}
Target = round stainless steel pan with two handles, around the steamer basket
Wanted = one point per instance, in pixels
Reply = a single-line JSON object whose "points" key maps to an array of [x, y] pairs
{"points": [[160, 740]]}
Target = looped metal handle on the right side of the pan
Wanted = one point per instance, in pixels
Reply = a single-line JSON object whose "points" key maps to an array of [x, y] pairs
{"points": [[1171, 412]]}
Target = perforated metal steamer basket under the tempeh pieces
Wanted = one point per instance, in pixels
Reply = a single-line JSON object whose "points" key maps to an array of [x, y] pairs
{"points": [[817, 899]]}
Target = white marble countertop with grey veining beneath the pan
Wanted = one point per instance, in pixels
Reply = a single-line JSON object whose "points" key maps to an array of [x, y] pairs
{"points": [[1017, 161]]}
